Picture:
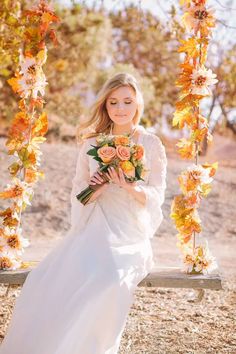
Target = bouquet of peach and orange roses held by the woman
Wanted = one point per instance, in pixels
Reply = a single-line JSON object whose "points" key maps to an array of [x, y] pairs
{"points": [[115, 151]]}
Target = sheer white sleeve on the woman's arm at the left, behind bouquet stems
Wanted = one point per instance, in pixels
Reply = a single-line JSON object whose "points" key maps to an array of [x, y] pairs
{"points": [[79, 212]]}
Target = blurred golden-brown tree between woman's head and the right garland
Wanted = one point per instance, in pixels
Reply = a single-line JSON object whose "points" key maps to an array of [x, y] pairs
{"points": [[140, 39]]}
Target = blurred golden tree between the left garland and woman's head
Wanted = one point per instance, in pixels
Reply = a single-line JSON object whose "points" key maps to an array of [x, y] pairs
{"points": [[84, 37]]}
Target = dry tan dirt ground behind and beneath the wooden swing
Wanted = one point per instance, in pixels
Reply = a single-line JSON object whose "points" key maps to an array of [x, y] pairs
{"points": [[161, 321]]}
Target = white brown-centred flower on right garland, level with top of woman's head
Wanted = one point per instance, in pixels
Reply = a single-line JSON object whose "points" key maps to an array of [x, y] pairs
{"points": [[202, 78]]}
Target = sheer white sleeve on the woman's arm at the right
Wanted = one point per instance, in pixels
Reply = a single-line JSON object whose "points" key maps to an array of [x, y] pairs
{"points": [[155, 188]]}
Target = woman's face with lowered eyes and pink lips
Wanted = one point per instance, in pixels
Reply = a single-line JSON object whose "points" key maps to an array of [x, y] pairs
{"points": [[122, 105]]}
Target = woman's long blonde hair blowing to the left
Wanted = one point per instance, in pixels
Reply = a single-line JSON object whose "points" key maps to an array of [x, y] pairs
{"points": [[99, 121]]}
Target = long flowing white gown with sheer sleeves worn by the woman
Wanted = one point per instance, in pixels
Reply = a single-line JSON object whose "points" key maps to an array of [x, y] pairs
{"points": [[77, 300]]}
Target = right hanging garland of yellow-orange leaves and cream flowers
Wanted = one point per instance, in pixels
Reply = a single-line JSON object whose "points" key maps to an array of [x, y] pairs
{"points": [[195, 183]]}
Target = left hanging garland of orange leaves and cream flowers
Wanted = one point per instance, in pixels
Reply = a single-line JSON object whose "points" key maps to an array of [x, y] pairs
{"points": [[27, 131]]}
